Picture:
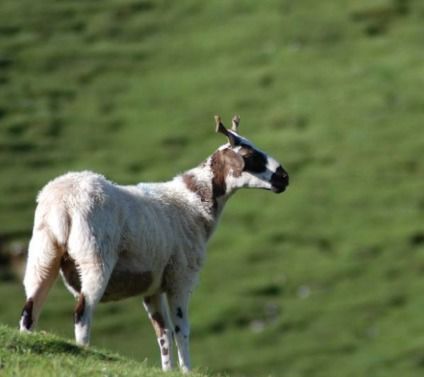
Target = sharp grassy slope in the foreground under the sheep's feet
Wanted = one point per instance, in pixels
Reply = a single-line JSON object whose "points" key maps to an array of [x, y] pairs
{"points": [[46, 355]]}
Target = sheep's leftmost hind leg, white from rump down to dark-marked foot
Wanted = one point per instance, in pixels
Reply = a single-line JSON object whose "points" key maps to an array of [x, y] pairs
{"points": [[45, 252]]}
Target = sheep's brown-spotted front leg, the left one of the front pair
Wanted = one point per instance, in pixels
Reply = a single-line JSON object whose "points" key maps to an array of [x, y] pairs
{"points": [[156, 308]]}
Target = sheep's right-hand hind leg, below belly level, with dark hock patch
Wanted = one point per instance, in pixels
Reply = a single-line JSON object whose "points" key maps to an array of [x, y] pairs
{"points": [[94, 279]]}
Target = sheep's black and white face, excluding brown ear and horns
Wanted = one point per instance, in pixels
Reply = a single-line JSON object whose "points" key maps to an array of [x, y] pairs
{"points": [[259, 170]]}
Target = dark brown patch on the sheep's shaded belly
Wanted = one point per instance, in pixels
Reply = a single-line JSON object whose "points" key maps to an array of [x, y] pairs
{"points": [[123, 284]]}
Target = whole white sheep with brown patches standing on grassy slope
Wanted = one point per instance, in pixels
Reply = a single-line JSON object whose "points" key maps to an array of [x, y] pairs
{"points": [[109, 242]]}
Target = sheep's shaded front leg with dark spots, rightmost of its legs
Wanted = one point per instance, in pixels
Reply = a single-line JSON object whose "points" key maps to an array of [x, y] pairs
{"points": [[178, 307]]}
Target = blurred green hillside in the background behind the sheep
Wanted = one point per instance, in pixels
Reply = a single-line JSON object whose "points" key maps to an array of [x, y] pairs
{"points": [[324, 280]]}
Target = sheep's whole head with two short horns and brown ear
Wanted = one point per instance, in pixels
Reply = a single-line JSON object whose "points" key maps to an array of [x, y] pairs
{"points": [[242, 164]]}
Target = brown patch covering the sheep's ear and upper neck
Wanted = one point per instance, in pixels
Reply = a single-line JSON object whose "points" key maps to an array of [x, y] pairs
{"points": [[222, 162]]}
